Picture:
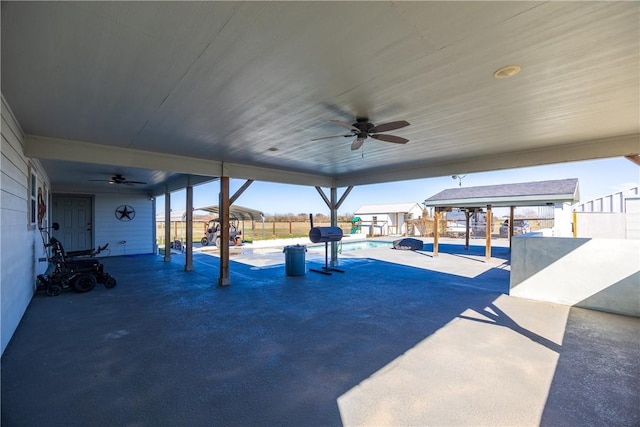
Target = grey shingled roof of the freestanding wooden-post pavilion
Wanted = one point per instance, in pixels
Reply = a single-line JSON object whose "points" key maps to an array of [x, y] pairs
{"points": [[520, 194]]}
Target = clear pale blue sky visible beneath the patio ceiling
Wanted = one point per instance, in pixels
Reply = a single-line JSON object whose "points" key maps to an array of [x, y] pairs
{"points": [[597, 178]]}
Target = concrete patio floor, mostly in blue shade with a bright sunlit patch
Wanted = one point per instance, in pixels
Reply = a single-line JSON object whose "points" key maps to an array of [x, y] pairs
{"points": [[399, 338]]}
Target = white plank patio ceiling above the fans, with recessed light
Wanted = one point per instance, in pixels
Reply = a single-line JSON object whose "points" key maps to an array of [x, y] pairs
{"points": [[159, 91]]}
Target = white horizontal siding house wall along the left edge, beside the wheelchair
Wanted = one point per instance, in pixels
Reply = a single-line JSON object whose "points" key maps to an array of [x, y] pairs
{"points": [[20, 242]]}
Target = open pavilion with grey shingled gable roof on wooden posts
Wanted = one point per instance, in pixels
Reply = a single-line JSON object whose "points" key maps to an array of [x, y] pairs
{"points": [[554, 193]]}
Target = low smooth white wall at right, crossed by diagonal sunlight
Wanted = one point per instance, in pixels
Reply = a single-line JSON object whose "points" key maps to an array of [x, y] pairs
{"points": [[599, 274]]}
